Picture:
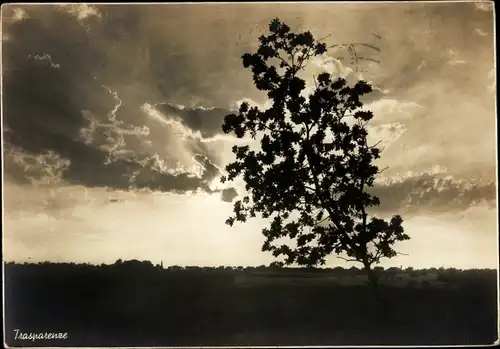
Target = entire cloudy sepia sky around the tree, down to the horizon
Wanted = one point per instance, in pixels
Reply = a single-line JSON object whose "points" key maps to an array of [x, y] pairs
{"points": [[112, 114]]}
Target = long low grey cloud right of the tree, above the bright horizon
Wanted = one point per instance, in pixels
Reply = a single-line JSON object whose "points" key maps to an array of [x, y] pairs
{"points": [[432, 193]]}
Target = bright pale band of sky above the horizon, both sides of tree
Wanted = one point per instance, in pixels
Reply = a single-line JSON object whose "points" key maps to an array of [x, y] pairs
{"points": [[103, 225]]}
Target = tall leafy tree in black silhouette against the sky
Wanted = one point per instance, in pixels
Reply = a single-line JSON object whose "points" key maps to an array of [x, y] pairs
{"points": [[310, 175]]}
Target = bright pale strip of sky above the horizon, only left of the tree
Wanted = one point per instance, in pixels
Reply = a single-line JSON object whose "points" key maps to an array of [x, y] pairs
{"points": [[178, 229]]}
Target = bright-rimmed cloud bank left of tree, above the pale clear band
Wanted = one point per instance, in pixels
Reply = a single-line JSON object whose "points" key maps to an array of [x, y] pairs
{"points": [[104, 155]]}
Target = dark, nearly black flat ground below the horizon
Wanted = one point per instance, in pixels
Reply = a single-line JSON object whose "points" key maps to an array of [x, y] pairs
{"points": [[140, 305]]}
